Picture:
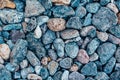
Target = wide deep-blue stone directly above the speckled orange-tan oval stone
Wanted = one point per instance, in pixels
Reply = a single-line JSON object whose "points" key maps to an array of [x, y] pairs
{"points": [[66, 11]]}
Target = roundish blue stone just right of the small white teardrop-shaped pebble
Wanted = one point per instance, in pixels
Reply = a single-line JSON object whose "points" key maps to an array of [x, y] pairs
{"points": [[48, 37]]}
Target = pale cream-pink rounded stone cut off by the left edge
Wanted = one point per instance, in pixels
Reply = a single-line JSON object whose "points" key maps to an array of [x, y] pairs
{"points": [[4, 51]]}
